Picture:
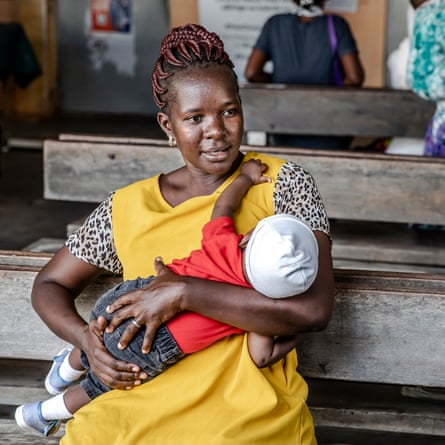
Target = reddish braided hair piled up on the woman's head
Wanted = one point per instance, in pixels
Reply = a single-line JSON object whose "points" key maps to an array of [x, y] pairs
{"points": [[183, 47]]}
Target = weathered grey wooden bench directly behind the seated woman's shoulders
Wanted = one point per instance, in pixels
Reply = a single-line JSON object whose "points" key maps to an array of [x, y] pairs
{"points": [[370, 198]]}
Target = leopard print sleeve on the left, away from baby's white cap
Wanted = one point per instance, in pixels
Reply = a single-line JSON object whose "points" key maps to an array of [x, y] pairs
{"points": [[93, 241]]}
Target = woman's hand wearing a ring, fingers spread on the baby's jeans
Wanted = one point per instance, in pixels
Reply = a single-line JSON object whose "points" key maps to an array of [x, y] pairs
{"points": [[149, 306]]}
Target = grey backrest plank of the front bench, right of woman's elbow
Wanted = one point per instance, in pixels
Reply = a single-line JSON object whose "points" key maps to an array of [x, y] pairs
{"points": [[386, 328]]}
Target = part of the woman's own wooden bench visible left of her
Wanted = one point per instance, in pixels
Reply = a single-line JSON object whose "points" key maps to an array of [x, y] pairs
{"points": [[26, 344]]}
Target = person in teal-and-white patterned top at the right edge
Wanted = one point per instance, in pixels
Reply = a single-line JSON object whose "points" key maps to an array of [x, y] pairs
{"points": [[426, 67]]}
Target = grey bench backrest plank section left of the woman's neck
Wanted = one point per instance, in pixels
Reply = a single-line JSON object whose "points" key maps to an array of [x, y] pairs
{"points": [[87, 171]]}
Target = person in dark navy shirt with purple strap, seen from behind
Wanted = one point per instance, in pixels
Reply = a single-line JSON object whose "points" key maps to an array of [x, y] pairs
{"points": [[301, 49]]}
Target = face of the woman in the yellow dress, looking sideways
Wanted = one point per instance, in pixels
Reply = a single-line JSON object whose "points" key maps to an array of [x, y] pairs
{"points": [[205, 117]]}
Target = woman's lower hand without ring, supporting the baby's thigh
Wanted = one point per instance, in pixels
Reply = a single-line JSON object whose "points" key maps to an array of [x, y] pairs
{"points": [[115, 373]]}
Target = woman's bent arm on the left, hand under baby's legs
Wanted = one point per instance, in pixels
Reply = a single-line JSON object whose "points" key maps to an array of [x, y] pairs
{"points": [[53, 297]]}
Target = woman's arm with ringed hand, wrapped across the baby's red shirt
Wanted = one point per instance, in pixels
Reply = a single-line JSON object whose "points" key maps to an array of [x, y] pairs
{"points": [[170, 294]]}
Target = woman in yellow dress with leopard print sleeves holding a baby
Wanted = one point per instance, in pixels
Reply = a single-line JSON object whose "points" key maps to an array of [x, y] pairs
{"points": [[217, 395]]}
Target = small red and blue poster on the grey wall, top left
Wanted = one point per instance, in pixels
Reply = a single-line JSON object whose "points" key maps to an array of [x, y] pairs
{"points": [[111, 15]]}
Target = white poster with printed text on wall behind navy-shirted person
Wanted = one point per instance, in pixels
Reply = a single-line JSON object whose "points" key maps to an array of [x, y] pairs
{"points": [[239, 22]]}
